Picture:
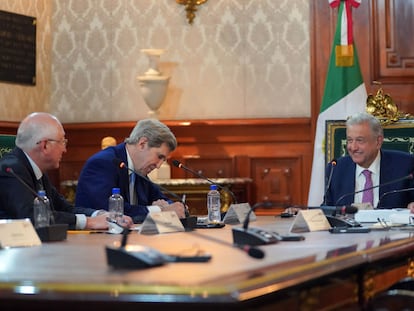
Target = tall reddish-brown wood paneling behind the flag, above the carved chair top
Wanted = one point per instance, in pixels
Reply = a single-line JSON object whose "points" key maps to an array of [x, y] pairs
{"points": [[382, 30]]}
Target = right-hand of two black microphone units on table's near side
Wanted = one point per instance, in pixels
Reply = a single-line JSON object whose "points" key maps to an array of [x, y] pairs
{"points": [[254, 236]]}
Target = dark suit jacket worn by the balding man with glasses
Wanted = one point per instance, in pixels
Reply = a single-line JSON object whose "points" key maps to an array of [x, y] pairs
{"points": [[16, 199]]}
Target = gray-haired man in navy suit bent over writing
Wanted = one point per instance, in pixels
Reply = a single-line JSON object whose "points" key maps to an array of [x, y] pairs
{"points": [[147, 147]]}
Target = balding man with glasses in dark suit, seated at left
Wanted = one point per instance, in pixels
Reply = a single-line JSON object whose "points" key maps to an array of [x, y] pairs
{"points": [[40, 143]]}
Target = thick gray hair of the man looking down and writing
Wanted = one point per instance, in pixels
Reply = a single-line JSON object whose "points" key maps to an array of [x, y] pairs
{"points": [[156, 132]]}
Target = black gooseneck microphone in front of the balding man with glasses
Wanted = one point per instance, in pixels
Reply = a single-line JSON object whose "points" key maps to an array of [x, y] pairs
{"points": [[53, 232]]}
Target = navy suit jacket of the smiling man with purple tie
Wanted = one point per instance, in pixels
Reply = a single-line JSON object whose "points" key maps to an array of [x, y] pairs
{"points": [[394, 165]]}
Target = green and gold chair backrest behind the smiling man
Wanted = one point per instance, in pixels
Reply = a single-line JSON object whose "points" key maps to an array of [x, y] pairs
{"points": [[397, 136]]}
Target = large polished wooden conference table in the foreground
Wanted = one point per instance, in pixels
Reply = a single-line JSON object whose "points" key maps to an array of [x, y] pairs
{"points": [[325, 271]]}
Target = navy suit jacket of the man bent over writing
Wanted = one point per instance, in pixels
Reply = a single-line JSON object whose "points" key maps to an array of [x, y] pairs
{"points": [[101, 173]]}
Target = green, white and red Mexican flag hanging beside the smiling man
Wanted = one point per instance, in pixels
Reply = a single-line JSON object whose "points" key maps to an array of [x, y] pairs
{"points": [[344, 93]]}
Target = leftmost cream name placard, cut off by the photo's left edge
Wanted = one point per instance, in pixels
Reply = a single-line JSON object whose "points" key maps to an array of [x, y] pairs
{"points": [[18, 233]]}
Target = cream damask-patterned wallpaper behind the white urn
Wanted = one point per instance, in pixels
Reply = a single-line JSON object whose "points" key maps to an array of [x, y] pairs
{"points": [[239, 59]]}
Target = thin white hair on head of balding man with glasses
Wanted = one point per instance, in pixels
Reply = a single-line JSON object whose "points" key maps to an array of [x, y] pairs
{"points": [[34, 128]]}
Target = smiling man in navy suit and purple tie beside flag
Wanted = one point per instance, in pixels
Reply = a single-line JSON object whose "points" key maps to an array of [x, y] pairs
{"points": [[364, 140]]}
